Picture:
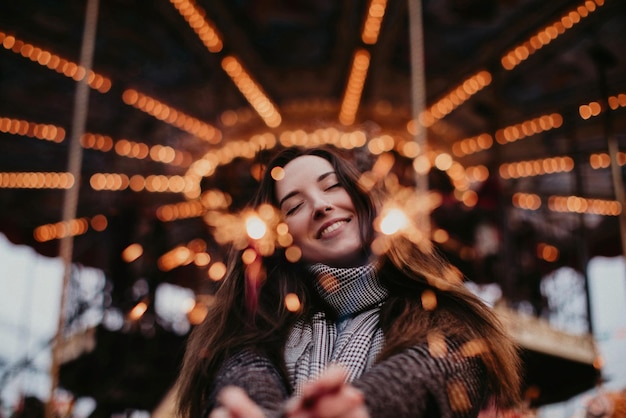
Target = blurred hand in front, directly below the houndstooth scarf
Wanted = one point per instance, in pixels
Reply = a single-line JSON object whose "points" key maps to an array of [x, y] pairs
{"points": [[328, 397]]}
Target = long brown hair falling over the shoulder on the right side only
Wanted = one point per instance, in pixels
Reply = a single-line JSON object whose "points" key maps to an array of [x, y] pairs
{"points": [[427, 299]]}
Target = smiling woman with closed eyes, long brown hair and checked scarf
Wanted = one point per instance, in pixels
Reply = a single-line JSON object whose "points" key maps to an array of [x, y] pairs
{"points": [[391, 335]]}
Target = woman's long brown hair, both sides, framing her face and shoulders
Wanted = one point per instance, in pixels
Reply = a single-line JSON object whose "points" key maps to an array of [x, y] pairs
{"points": [[406, 271]]}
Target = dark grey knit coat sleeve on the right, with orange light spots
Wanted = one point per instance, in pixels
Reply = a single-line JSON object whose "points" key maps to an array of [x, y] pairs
{"points": [[414, 383]]}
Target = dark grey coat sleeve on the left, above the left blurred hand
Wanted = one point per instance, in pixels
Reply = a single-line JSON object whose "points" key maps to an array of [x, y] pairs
{"points": [[257, 376]]}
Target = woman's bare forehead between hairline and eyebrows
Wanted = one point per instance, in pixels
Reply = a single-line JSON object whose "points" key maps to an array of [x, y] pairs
{"points": [[301, 172]]}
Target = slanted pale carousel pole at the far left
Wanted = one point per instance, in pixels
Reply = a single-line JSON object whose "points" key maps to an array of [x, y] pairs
{"points": [[70, 201]]}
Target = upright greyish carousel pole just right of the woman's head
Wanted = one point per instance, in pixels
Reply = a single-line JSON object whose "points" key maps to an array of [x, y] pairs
{"points": [[418, 97]]}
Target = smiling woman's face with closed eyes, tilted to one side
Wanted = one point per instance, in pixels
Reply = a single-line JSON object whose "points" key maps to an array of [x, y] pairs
{"points": [[320, 213]]}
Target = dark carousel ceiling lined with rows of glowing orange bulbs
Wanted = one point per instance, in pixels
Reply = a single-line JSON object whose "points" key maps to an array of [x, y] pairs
{"points": [[519, 99]]}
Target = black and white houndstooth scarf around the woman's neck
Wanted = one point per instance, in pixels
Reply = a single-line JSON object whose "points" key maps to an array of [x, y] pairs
{"points": [[353, 341]]}
